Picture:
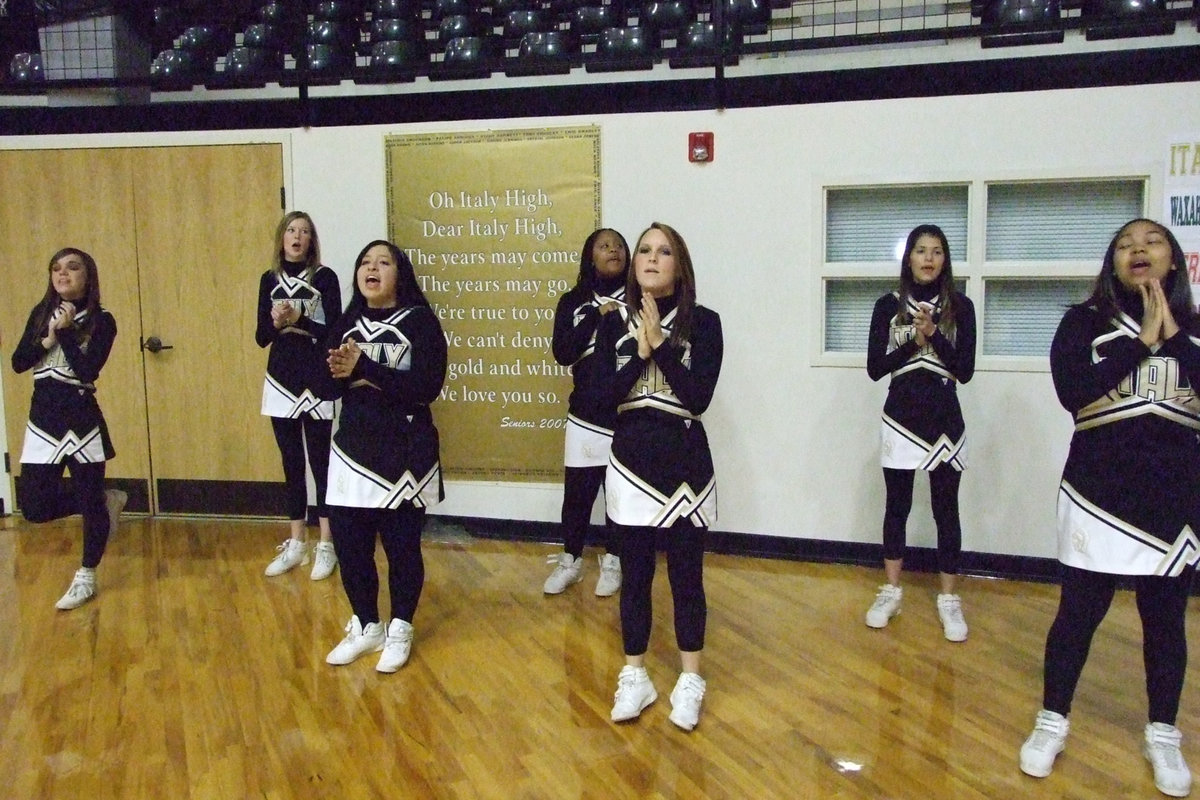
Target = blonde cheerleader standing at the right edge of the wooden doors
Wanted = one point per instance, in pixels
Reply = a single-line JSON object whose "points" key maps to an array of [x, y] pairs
{"points": [[298, 302]]}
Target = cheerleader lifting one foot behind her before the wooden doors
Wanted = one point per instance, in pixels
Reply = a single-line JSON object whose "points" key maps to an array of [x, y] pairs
{"points": [[67, 344]]}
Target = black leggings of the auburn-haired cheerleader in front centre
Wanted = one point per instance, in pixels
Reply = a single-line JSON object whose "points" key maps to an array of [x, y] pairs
{"points": [[686, 572]]}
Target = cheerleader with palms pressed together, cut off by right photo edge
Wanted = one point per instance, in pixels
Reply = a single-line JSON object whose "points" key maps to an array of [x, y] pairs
{"points": [[1126, 364]]}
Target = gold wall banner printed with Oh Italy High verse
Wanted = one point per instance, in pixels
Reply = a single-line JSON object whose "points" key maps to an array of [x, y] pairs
{"points": [[494, 222]]}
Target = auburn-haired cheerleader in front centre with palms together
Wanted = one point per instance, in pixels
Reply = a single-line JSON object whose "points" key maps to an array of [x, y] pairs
{"points": [[663, 364]]}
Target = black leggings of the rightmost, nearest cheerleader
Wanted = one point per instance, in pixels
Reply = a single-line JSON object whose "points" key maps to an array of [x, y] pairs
{"points": [[1085, 600]]}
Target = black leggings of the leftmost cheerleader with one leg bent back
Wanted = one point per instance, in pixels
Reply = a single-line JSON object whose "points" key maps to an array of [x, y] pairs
{"points": [[45, 497]]}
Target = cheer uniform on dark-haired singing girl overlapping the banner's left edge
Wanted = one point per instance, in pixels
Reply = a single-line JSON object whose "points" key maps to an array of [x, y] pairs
{"points": [[386, 449]]}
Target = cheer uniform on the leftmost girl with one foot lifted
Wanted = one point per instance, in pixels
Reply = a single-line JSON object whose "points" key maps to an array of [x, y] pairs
{"points": [[65, 422]]}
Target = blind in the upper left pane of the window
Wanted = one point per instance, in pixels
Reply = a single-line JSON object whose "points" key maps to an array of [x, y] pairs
{"points": [[872, 224]]}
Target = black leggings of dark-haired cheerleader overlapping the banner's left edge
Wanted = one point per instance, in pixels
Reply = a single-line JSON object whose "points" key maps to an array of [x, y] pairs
{"points": [[355, 537]]}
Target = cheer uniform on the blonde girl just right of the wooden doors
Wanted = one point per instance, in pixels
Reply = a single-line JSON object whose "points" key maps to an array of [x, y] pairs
{"points": [[297, 353]]}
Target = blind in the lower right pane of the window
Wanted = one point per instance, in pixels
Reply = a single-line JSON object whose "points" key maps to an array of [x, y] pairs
{"points": [[1022, 315]]}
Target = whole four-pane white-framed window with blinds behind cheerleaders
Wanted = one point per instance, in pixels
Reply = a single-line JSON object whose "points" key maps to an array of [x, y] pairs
{"points": [[1043, 243]]}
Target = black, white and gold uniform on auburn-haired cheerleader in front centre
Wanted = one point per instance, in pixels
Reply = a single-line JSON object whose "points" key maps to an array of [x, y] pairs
{"points": [[662, 471]]}
